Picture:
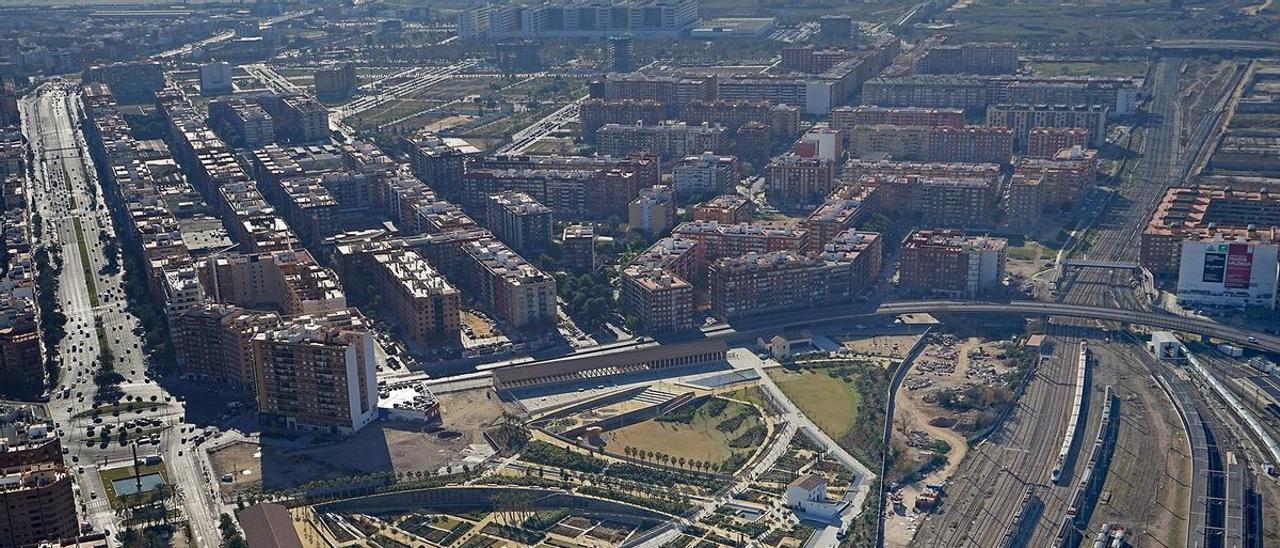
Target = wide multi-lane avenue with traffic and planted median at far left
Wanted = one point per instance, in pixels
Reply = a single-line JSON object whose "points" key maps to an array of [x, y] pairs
{"points": [[76, 222]]}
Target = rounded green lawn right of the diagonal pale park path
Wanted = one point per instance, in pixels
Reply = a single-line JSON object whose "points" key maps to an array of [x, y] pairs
{"points": [[830, 403]]}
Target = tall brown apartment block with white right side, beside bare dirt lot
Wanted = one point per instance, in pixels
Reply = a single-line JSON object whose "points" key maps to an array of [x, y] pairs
{"points": [[318, 373]]}
